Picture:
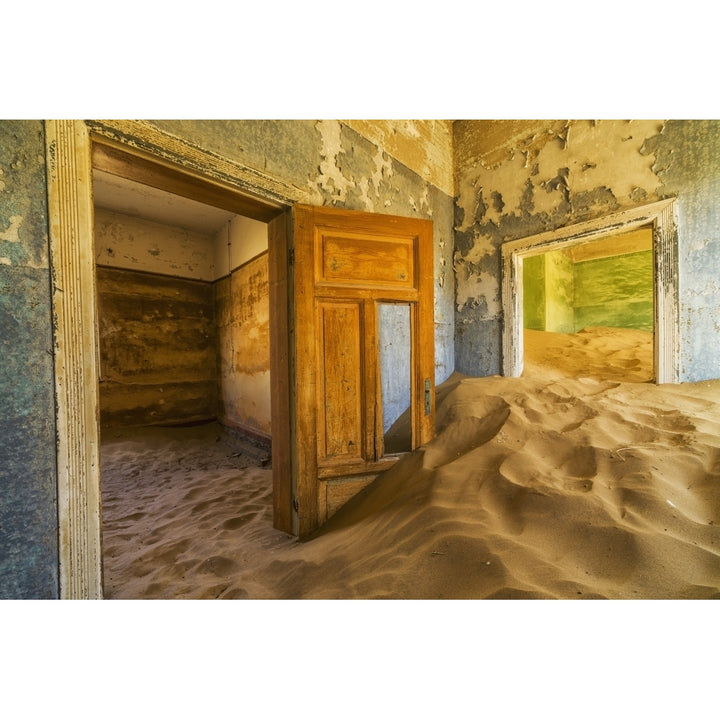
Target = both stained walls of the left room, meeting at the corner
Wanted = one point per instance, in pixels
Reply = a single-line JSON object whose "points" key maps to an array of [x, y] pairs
{"points": [[183, 323]]}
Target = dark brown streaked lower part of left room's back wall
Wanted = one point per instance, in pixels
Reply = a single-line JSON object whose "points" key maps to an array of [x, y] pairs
{"points": [[157, 349]]}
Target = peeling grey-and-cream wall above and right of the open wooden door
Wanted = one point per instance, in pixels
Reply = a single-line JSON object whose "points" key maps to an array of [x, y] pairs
{"points": [[394, 167]]}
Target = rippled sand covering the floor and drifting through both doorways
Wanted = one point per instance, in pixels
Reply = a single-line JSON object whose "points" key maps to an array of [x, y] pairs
{"points": [[565, 483]]}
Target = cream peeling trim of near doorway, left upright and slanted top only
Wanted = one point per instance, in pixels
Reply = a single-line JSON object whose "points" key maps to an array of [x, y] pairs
{"points": [[72, 261]]}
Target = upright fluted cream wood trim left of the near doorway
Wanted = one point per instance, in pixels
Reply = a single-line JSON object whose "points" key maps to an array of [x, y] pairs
{"points": [[76, 374]]}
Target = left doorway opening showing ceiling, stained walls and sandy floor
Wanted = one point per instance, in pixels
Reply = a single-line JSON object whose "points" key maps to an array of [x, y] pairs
{"points": [[184, 378]]}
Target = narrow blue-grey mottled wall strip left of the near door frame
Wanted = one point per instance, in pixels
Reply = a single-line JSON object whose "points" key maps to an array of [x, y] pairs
{"points": [[28, 483]]}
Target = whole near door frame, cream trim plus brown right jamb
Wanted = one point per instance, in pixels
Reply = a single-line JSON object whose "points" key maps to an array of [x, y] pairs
{"points": [[69, 157]]}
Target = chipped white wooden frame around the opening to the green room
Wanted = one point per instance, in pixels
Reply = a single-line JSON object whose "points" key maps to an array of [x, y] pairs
{"points": [[663, 218]]}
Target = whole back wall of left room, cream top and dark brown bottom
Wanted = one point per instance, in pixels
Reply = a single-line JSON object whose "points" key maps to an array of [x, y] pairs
{"points": [[156, 322]]}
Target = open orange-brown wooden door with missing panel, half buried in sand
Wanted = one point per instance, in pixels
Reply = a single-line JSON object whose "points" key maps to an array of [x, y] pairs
{"points": [[361, 324]]}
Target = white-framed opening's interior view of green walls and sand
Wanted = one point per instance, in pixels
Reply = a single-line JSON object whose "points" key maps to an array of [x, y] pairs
{"points": [[588, 308]]}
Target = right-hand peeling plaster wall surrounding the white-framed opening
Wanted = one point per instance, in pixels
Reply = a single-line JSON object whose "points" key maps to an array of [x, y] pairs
{"points": [[519, 178]]}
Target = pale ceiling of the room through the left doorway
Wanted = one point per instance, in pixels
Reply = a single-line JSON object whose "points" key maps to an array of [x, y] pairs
{"points": [[131, 198]]}
